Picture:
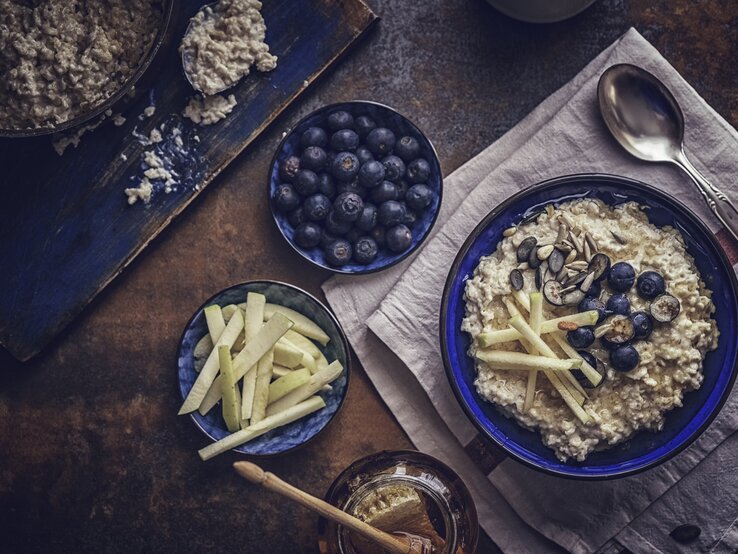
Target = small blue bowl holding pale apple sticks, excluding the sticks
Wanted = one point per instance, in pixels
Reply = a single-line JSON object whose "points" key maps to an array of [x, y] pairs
{"points": [[289, 437]]}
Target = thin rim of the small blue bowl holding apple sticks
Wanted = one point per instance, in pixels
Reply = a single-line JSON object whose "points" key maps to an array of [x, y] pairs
{"points": [[331, 316]]}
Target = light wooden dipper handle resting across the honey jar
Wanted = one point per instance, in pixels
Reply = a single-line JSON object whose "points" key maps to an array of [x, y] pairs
{"points": [[396, 544]]}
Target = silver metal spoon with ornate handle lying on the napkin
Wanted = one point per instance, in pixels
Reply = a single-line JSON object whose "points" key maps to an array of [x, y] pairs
{"points": [[645, 118]]}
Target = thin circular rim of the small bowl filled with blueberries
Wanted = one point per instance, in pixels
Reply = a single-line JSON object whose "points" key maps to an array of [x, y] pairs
{"points": [[334, 106]]}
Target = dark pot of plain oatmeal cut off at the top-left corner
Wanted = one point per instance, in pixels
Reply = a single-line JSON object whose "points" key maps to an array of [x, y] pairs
{"points": [[63, 63]]}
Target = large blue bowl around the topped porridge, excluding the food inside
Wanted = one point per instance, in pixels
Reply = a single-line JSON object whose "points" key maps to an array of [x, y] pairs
{"points": [[645, 449]]}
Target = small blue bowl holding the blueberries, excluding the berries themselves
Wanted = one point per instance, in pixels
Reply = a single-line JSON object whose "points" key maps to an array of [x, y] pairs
{"points": [[420, 228]]}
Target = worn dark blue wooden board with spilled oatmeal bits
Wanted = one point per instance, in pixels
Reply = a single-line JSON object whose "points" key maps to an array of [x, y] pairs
{"points": [[66, 229]]}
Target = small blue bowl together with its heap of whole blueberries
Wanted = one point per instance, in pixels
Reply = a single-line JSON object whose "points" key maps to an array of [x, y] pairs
{"points": [[355, 187]]}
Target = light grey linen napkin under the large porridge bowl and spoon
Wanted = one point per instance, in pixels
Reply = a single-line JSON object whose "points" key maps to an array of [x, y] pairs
{"points": [[562, 135]]}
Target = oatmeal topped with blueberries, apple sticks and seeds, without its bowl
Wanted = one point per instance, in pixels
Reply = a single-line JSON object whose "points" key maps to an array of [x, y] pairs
{"points": [[588, 324]]}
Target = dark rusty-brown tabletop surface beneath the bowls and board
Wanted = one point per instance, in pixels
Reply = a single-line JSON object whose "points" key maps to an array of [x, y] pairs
{"points": [[92, 454]]}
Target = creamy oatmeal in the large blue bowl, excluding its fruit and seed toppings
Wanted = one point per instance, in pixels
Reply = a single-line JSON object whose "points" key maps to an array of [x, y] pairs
{"points": [[671, 358]]}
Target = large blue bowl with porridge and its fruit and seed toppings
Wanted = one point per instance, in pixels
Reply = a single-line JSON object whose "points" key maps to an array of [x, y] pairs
{"points": [[626, 306]]}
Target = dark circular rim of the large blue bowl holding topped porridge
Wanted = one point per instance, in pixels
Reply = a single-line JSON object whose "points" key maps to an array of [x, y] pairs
{"points": [[550, 184]]}
